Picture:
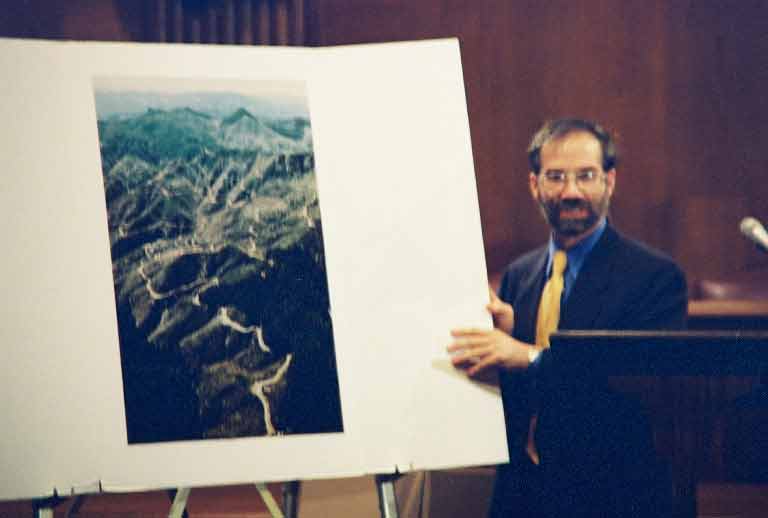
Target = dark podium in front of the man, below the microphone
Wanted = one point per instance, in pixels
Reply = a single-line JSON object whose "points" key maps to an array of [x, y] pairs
{"points": [[703, 392]]}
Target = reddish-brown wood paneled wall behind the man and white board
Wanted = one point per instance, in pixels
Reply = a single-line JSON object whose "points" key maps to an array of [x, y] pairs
{"points": [[681, 83]]}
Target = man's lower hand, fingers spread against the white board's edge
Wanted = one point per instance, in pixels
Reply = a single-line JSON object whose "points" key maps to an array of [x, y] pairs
{"points": [[475, 350]]}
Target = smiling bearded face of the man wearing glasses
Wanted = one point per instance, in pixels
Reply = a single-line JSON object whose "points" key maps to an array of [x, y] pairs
{"points": [[572, 189]]}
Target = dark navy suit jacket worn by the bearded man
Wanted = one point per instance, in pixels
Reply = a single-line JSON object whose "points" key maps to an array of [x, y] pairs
{"points": [[585, 435]]}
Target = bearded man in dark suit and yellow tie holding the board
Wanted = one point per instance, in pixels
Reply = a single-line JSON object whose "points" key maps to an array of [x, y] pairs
{"points": [[576, 449]]}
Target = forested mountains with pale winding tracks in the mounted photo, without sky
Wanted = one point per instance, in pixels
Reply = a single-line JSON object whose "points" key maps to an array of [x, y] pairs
{"points": [[219, 270]]}
